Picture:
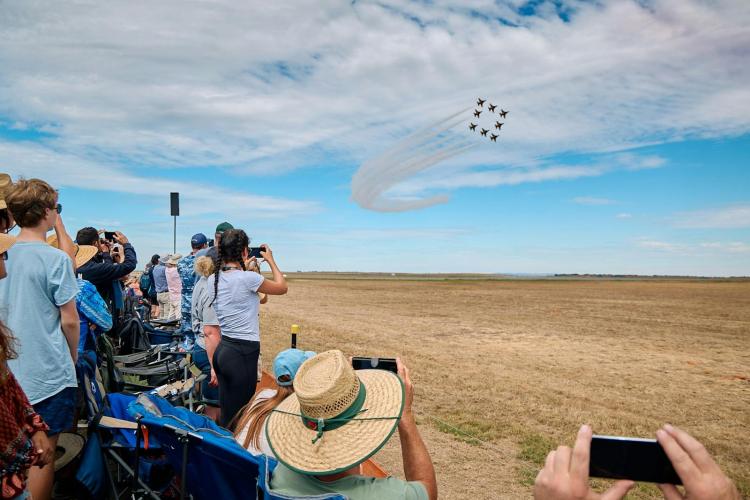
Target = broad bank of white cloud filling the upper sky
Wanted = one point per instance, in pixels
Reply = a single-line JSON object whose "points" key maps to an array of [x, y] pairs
{"points": [[220, 84]]}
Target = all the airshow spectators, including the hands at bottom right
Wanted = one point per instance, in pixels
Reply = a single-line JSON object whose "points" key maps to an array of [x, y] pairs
{"points": [[323, 420]]}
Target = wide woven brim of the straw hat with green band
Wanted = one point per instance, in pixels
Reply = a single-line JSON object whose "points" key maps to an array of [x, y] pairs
{"points": [[349, 445]]}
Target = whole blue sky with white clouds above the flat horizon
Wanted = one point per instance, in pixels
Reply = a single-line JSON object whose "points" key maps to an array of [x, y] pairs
{"points": [[626, 149]]}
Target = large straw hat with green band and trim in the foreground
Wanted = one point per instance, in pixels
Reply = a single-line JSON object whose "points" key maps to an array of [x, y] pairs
{"points": [[336, 418]]}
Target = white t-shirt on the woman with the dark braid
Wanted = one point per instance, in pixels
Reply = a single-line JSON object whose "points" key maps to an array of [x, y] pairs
{"points": [[237, 305]]}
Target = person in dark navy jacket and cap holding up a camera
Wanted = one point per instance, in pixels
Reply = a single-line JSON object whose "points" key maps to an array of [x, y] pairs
{"points": [[103, 271]]}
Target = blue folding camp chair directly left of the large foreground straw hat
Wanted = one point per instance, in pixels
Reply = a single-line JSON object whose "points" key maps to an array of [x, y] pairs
{"points": [[212, 464]]}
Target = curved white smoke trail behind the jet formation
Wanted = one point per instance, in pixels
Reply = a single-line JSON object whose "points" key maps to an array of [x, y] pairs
{"points": [[413, 154]]}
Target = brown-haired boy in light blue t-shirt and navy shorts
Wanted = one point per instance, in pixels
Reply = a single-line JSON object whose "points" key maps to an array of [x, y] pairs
{"points": [[37, 301]]}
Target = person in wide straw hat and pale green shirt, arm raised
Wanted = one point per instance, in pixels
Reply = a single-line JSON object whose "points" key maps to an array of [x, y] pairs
{"points": [[336, 419]]}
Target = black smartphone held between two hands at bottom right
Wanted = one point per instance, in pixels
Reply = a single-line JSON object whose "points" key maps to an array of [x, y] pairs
{"points": [[615, 457]]}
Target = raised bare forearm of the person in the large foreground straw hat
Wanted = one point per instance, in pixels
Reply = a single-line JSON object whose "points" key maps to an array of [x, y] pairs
{"points": [[417, 462]]}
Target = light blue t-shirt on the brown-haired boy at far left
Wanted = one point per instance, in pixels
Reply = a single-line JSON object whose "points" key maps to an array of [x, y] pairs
{"points": [[40, 280]]}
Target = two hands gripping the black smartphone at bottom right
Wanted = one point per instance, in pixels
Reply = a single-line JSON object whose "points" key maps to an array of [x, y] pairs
{"points": [[565, 475]]}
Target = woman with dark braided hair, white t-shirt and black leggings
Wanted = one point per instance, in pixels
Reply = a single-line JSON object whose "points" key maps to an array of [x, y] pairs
{"points": [[236, 302]]}
